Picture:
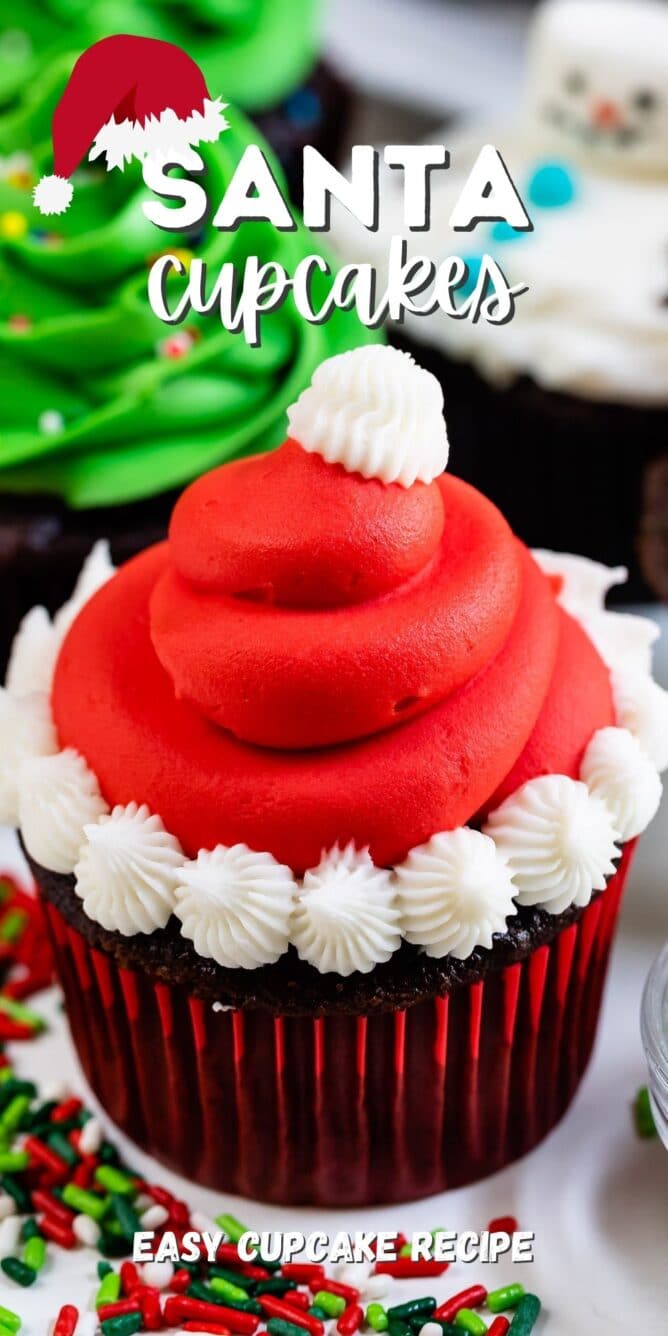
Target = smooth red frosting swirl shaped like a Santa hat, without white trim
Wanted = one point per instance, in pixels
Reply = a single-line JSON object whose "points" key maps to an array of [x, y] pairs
{"points": [[316, 658]]}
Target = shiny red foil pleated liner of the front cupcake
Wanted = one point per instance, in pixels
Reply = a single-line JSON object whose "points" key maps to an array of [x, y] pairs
{"points": [[343, 1111]]}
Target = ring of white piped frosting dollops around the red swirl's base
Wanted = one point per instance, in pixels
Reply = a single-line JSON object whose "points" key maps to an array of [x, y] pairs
{"points": [[554, 844]]}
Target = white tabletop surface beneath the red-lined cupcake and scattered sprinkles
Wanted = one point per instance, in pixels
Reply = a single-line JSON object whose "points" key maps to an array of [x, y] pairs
{"points": [[595, 1195]]}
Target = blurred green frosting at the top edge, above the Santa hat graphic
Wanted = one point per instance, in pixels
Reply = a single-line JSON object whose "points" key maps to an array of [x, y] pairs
{"points": [[253, 53]]}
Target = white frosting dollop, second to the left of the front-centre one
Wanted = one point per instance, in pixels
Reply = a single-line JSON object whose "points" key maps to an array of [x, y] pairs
{"points": [[128, 872]]}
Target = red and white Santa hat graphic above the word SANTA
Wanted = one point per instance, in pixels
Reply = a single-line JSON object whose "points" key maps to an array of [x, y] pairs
{"points": [[128, 98]]}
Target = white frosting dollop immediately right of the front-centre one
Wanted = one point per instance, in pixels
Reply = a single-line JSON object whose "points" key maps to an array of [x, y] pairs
{"points": [[455, 893]]}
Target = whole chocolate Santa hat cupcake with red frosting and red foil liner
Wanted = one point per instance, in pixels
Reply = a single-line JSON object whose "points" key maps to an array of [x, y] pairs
{"points": [[331, 801]]}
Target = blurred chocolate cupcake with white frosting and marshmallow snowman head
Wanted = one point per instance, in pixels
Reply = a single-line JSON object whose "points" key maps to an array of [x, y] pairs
{"points": [[576, 385]]}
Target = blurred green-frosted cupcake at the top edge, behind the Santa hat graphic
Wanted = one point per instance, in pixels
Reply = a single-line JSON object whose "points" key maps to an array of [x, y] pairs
{"points": [[261, 55]]}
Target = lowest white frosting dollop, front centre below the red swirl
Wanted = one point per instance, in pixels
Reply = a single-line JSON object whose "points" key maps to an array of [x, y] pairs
{"points": [[347, 917]]}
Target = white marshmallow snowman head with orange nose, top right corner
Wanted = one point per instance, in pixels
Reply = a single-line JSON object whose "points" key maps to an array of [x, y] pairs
{"points": [[599, 82]]}
